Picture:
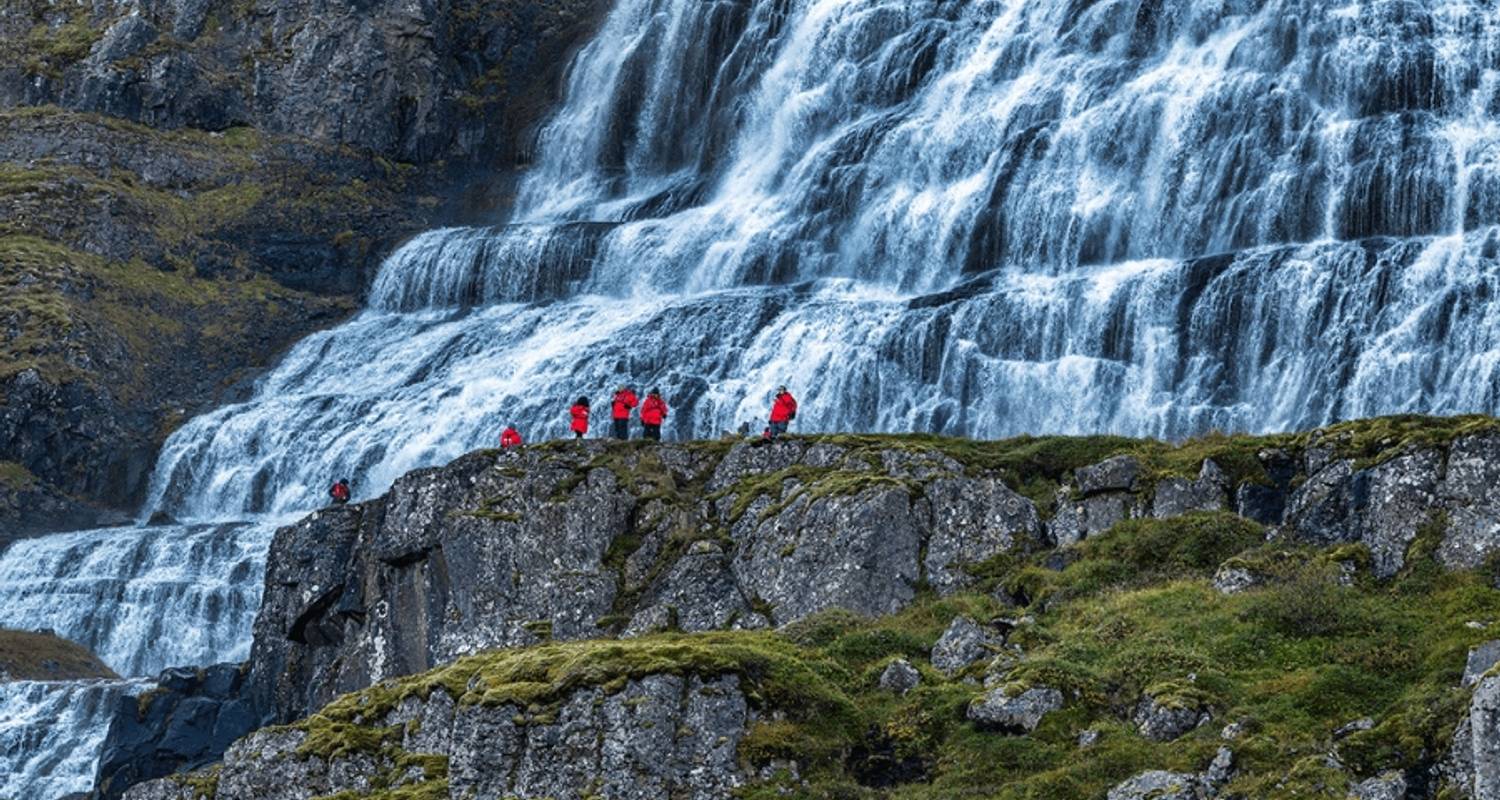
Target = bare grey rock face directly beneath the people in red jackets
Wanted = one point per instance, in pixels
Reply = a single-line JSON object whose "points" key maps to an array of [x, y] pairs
{"points": [[586, 541]]}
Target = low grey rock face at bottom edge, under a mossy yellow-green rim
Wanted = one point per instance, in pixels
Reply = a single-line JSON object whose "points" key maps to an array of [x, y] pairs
{"points": [[659, 738]]}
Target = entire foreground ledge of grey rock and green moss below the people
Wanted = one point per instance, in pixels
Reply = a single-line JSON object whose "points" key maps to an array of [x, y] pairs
{"points": [[1118, 610]]}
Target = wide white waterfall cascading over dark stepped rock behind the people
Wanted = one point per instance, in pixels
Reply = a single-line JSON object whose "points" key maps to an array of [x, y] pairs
{"points": [[965, 217]]}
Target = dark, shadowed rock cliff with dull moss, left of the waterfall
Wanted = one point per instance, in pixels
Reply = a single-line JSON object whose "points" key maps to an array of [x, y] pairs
{"points": [[188, 188]]}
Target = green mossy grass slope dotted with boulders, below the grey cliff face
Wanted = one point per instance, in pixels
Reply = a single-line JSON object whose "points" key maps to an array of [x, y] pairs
{"points": [[1127, 615]]}
